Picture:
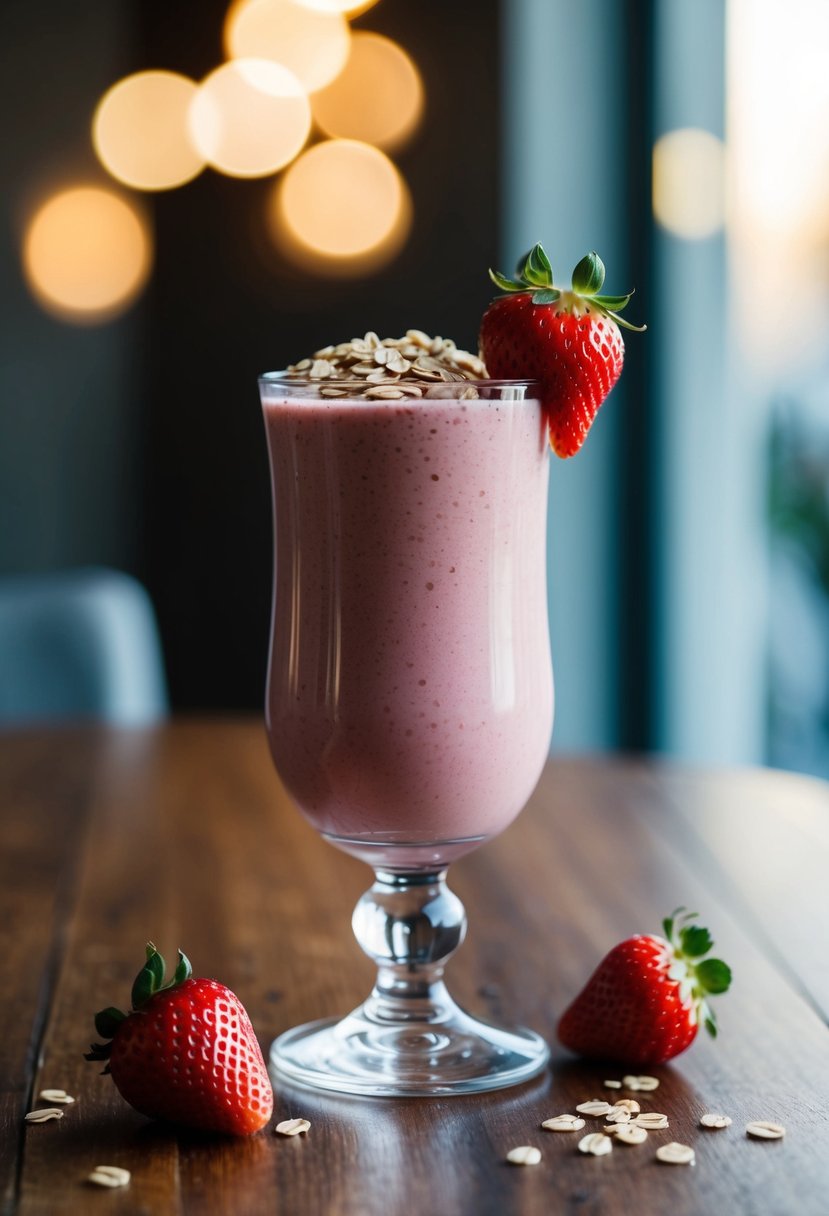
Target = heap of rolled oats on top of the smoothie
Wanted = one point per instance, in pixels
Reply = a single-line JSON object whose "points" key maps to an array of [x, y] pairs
{"points": [[392, 369]]}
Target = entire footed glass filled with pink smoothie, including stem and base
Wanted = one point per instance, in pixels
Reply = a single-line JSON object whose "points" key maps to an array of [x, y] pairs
{"points": [[410, 693]]}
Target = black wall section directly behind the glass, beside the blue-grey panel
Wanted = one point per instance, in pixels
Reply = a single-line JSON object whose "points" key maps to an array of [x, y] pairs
{"points": [[223, 307]]}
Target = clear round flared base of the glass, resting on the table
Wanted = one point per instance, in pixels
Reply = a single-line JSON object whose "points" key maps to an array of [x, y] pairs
{"points": [[458, 1055]]}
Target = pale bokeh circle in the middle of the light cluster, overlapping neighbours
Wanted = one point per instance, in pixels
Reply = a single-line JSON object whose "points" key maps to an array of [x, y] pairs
{"points": [[251, 117]]}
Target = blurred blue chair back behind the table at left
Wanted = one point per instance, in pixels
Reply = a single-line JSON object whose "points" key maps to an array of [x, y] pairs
{"points": [[82, 644]]}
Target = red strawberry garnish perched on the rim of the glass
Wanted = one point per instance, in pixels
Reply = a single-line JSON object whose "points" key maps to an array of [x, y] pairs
{"points": [[567, 340]]}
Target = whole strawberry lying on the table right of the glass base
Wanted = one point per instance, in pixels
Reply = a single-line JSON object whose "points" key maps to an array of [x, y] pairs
{"points": [[645, 1003]]}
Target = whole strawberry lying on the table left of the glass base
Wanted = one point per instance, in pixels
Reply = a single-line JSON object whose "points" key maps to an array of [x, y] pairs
{"points": [[187, 1052]]}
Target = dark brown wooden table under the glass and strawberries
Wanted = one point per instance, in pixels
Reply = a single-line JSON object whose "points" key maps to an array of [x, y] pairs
{"points": [[184, 836]]}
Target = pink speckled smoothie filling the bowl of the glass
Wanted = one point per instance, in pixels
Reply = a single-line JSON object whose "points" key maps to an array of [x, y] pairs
{"points": [[410, 693]]}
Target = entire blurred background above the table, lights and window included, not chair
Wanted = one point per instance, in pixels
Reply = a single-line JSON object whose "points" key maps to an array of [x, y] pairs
{"points": [[196, 193]]}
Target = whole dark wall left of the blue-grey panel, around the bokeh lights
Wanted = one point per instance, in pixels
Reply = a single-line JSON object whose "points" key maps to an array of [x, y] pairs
{"points": [[139, 443]]}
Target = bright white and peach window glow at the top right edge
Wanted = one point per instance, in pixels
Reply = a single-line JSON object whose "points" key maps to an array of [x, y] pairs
{"points": [[779, 181]]}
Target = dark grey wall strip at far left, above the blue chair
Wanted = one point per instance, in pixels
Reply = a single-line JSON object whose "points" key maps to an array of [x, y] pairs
{"points": [[70, 409]]}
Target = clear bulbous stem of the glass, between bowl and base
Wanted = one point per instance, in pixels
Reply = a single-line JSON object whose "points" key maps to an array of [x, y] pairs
{"points": [[409, 925]]}
